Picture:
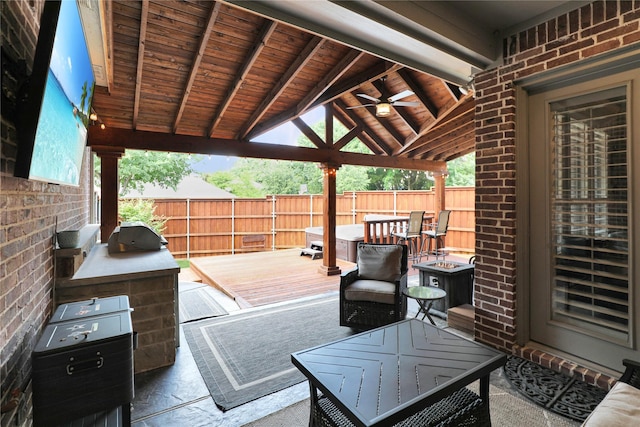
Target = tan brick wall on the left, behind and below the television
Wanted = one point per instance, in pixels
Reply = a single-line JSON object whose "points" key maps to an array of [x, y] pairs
{"points": [[28, 215]]}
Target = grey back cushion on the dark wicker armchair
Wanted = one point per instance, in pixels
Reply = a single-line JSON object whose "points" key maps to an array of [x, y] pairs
{"points": [[380, 262]]}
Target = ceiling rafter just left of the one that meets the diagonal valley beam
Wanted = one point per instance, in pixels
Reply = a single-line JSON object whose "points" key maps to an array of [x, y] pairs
{"points": [[285, 80]]}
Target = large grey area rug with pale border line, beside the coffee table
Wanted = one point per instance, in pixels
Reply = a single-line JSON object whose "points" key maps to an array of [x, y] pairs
{"points": [[245, 356]]}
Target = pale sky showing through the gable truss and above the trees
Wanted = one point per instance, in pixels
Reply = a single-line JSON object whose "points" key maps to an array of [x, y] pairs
{"points": [[286, 134]]}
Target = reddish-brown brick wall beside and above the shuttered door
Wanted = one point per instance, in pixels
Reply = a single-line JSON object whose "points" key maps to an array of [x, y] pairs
{"points": [[583, 33]]}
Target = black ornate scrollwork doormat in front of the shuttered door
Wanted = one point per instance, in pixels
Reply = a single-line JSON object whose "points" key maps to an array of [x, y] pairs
{"points": [[552, 390]]}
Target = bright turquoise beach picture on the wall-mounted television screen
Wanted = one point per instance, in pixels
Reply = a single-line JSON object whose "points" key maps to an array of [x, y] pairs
{"points": [[61, 134]]}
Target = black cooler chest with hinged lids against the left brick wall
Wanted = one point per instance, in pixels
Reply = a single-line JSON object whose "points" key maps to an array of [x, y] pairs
{"points": [[84, 366]]}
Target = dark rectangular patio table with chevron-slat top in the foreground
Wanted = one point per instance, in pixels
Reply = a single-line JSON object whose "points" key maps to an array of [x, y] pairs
{"points": [[405, 374]]}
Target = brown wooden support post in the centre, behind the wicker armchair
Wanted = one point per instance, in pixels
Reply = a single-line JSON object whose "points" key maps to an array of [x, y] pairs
{"points": [[329, 265]]}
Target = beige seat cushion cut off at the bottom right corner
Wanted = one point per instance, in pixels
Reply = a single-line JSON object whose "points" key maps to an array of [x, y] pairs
{"points": [[620, 407]]}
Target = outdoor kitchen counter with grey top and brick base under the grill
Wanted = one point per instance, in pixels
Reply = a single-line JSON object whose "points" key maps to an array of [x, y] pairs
{"points": [[150, 279]]}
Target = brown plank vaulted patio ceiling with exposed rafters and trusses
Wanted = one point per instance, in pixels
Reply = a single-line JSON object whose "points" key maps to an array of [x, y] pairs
{"points": [[209, 77]]}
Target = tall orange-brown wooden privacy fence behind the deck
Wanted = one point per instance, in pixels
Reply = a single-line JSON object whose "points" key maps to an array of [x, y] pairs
{"points": [[205, 227]]}
